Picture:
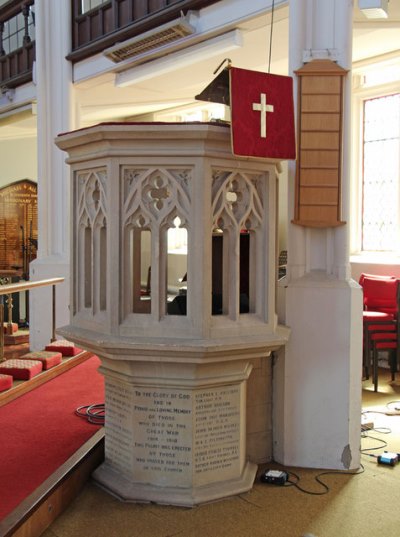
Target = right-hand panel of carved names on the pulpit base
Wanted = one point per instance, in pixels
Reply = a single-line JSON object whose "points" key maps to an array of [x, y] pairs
{"points": [[217, 430]]}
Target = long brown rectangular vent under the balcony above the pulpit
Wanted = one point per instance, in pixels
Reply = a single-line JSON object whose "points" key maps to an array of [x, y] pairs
{"points": [[147, 42]]}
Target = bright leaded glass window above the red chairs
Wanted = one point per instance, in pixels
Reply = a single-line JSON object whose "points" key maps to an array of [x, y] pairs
{"points": [[381, 163]]}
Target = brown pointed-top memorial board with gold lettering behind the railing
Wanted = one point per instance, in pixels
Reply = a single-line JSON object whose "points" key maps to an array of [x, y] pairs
{"points": [[18, 226]]}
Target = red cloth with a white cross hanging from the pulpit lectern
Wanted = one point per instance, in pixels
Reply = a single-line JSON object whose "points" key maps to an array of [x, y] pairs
{"points": [[262, 114]]}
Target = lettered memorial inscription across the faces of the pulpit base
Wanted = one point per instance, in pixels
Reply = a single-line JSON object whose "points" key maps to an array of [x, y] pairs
{"points": [[173, 437]]}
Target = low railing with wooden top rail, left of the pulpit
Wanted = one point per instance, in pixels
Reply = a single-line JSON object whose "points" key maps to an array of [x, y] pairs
{"points": [[8, 290]]}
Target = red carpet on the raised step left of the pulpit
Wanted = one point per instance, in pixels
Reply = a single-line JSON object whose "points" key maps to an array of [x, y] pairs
{"points": [[40, 431]]}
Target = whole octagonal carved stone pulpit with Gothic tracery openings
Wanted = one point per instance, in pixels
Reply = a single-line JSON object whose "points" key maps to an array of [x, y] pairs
{"points": [[173, 267]]}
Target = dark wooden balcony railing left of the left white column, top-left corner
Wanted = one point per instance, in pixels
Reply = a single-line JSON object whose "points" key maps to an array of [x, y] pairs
{"points": [[16, 64]]}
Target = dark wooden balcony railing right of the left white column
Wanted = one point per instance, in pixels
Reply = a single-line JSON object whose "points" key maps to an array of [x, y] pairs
{"points": [[117, 20]]}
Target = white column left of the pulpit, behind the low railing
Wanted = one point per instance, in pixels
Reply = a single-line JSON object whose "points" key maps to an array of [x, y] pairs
{"points": [[53, 76]]}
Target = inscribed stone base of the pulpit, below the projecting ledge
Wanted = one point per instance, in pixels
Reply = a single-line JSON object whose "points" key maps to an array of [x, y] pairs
{"points": [[175, 433]]}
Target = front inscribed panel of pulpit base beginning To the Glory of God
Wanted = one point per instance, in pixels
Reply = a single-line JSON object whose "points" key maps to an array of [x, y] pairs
{"points": [[163, 434]]}
